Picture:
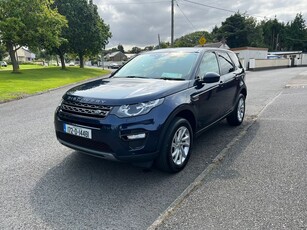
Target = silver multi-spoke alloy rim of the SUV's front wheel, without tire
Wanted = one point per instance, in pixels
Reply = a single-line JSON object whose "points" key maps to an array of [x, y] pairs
{"points": [[180, 145]]}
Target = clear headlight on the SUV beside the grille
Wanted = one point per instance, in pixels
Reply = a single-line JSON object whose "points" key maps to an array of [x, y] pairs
{"points": [[137, 109]]}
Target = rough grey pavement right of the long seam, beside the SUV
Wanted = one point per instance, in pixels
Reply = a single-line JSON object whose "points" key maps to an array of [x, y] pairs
{"points": [[262, 182]]}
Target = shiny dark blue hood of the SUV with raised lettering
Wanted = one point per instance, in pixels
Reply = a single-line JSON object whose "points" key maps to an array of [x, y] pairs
{"points": [[119, 91]]}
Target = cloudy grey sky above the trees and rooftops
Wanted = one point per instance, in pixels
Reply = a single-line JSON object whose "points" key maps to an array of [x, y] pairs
{"points": [[139, 22]]}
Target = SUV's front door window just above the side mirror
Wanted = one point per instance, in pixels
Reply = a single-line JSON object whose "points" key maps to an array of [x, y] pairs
{"points": [[209, 63]]}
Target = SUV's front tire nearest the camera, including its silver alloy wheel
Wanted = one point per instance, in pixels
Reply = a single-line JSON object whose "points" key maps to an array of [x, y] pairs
{"points": [[176, 148]]}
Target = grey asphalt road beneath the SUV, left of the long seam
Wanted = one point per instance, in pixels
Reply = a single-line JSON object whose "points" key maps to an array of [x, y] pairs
{"points": [[44, 185]]}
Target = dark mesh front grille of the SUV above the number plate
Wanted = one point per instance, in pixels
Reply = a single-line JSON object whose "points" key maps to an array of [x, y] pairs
{"points": [[85, 109]]}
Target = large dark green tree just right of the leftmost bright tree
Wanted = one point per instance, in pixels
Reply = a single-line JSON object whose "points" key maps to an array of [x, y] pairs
{"points": [[87, 33]]}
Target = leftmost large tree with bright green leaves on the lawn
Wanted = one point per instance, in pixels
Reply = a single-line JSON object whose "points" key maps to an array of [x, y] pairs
{"points": [[30, 23]]}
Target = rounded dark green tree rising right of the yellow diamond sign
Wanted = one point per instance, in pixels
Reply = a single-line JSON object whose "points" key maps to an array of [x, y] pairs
{"points": [[239, 30]]}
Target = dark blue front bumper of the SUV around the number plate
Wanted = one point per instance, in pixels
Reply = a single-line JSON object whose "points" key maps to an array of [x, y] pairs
{"points": [[113, 138]]}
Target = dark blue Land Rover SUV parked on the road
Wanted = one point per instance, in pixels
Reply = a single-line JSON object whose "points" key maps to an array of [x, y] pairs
{"points": [[151, 109]]}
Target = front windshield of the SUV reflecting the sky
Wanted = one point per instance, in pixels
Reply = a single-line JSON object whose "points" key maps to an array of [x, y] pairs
{"points": [[168, 66]]}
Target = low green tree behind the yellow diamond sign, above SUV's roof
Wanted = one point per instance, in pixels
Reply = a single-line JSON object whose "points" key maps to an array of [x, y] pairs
{"points": [[191, 40]]}
